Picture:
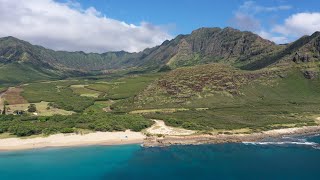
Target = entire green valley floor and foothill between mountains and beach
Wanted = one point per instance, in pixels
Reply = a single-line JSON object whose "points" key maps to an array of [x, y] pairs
{"points": [[228, 101]]}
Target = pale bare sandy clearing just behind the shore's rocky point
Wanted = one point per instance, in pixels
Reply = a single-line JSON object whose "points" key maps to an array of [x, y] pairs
{"points": [[161, 128]]}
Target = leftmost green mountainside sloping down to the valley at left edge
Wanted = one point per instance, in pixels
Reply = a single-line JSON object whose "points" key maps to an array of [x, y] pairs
{"points": [[22, 62]]}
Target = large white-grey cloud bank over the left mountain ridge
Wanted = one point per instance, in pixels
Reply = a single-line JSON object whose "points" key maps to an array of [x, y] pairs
{"points": [[66, 26]]}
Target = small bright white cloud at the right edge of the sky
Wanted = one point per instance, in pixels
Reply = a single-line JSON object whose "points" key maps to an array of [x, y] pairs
{"points": [[299, 24]]}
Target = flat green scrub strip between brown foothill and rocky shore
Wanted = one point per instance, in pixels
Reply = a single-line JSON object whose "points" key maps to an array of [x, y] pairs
{"points": [[232, 118]]}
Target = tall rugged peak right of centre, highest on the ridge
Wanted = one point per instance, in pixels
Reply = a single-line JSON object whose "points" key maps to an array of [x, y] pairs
{"points": [[207, 45]]}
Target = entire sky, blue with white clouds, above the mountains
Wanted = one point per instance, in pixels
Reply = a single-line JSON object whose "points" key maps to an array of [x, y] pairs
{"points": [[133, 25]]}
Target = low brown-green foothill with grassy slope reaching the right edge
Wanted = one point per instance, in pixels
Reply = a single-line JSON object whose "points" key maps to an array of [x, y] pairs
{"points": [[218, 85]]}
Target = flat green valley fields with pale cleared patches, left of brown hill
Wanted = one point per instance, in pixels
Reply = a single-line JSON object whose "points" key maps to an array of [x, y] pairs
{"points": [[77, 95]]}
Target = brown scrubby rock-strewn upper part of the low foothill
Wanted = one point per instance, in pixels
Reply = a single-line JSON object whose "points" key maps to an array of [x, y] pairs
{"points": [[216, 78]]}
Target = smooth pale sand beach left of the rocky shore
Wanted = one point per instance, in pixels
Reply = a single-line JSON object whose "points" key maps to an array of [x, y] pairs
{"points": [[64, 140]]}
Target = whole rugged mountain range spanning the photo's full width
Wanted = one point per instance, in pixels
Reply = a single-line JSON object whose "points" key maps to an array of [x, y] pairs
{"points": [[21, 61]]}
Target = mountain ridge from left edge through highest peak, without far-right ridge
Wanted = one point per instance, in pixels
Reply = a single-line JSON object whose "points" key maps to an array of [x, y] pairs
{"points": [[204, 45]]}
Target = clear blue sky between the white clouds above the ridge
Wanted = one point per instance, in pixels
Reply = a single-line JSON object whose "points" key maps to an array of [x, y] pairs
{"points": [[183, 16]]}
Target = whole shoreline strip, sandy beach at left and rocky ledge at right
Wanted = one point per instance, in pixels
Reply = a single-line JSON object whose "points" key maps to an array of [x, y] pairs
{"points": [[129, 137]]}
